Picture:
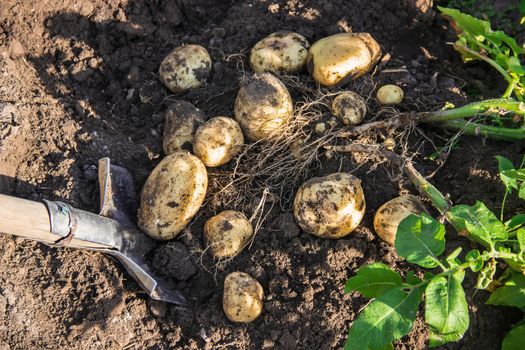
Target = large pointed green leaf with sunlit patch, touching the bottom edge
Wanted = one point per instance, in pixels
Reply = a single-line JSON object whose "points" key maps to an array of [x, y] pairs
{"points": [[384, 320]]}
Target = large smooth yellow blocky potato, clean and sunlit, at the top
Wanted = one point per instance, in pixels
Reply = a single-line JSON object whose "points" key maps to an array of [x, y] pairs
{"points": [[336, 59]]}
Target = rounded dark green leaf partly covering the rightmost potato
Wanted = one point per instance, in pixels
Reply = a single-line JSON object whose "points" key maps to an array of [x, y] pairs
{"points": [[420, 240]]}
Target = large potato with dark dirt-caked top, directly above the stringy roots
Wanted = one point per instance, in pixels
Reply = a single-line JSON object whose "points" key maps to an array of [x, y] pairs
{"points": [[263, 106]]}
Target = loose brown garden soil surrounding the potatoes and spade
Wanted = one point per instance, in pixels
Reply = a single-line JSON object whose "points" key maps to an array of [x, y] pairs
{"points": [[79, 82]]}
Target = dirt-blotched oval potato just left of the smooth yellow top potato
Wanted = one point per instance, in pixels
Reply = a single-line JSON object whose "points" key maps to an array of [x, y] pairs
{"points": [[280, 52]]}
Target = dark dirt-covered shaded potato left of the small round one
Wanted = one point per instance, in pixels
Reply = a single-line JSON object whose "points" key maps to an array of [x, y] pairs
{"points": [[182, 120]]}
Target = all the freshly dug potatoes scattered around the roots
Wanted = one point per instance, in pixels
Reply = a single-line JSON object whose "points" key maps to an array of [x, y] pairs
{"points": [[329, 207]]}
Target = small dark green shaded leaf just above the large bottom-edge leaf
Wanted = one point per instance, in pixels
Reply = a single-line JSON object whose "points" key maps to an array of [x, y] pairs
{"points": [[373, 280]]}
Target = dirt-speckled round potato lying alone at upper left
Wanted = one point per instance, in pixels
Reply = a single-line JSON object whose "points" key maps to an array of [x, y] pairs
{"points": [[186, 67]]}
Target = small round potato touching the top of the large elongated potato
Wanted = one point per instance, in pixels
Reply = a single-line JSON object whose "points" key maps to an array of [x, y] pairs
{"points": [[218, 141]]}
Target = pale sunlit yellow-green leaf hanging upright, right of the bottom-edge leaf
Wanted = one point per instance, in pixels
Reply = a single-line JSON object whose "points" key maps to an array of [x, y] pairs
{"points": [[446, 309]]}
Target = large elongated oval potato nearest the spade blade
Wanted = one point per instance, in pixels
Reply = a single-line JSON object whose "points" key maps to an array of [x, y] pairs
{"points": [[172, 195]]}
